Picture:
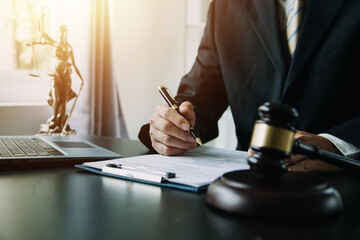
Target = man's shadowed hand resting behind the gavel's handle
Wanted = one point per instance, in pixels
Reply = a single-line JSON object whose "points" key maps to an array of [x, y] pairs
{"points": [[301, 163]]}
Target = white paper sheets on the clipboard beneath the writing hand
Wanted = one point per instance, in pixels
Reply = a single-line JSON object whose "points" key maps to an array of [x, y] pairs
{"points": [[196, 168]]}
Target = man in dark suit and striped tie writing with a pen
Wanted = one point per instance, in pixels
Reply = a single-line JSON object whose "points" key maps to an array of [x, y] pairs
{"points": [[244, 60]]}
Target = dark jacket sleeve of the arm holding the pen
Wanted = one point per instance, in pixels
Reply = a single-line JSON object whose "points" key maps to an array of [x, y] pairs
{"points": [[203, 86]]}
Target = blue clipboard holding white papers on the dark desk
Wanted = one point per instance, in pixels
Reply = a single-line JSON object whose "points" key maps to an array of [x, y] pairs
{"points": [[193, 171]]}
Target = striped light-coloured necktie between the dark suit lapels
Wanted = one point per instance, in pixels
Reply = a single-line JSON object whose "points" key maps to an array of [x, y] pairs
{"points": [[293, 25]]}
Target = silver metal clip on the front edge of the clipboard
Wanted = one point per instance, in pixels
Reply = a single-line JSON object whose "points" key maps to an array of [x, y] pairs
{"points": [[139, 172]]}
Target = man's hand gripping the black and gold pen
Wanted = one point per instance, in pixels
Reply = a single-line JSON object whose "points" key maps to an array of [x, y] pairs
{"points": [[168, 129]]}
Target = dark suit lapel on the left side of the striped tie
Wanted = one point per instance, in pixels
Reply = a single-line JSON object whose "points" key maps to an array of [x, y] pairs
{"points": [[265, 21]]}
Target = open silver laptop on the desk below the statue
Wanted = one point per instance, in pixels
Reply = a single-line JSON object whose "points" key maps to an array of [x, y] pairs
{"points": [[48, 151]]}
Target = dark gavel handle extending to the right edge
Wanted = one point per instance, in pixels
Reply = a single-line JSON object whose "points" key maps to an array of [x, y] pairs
{"points": [[314, 152]]}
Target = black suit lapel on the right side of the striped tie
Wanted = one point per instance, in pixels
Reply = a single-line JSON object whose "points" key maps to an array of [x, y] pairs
{"points": [[318, 18]]}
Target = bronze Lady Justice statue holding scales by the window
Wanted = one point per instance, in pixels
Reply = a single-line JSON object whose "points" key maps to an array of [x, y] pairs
{"points": [[61, 91]]}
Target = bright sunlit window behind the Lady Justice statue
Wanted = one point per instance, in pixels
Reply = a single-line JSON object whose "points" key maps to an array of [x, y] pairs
{"points": [[19, 24]]}
